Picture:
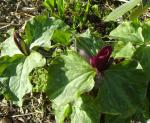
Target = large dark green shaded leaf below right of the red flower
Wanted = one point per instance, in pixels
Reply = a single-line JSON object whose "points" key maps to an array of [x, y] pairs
{"points": [[122, 90]]}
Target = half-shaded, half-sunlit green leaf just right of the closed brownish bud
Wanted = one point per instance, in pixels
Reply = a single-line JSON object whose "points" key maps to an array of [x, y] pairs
{"points": [[39, 30]]}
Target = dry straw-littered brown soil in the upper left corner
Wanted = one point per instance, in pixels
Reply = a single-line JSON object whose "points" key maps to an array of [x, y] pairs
{"points": [[14, 13]]}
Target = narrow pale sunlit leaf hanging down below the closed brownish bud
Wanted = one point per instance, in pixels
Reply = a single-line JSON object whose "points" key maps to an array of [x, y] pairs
{"points": [[19, 84]]}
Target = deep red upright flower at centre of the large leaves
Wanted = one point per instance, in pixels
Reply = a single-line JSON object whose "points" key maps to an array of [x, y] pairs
{"points": [[100, 61]]}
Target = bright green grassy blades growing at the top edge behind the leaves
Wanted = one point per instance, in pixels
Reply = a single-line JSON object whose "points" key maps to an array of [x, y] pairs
{"points": [[74, 12]]}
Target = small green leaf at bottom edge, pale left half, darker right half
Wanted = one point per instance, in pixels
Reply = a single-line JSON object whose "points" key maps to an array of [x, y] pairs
{"points": [[85, 111]]}
